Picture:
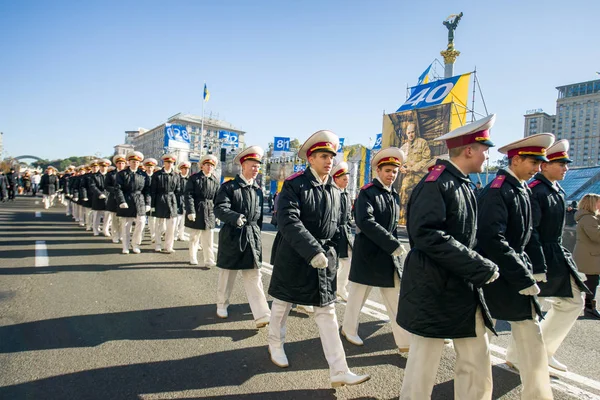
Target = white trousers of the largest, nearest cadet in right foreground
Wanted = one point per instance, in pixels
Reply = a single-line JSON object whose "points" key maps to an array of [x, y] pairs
{"points": [[472, 372]]}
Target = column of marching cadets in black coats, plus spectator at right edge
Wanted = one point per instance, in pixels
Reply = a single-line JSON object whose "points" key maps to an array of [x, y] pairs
{"points": [[474, 258]]}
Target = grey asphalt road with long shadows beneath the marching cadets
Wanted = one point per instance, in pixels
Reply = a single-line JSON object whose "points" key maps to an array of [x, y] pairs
{"points": [[91, 323]]}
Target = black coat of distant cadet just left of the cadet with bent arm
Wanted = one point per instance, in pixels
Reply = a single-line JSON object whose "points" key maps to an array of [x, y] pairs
{"points": [[200, 195]]}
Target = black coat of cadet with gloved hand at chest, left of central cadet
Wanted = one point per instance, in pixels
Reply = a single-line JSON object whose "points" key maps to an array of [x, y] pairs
{"points": [[240, 247]]}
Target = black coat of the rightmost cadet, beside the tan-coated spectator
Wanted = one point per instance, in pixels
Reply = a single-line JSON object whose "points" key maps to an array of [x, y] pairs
{"points": [[545, 247]]}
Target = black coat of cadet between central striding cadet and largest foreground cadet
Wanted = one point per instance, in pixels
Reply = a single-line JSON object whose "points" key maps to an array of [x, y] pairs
{"points": [[376, 216]]}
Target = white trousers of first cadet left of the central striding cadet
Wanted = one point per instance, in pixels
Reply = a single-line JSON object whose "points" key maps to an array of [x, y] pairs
{"points": [[252, 284]]}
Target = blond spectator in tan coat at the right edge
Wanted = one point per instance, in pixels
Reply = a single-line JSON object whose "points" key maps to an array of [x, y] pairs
{"points": [[587, 248]]}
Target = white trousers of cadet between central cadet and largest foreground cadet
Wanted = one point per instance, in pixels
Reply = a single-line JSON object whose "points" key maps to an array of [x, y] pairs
{"points": [[356, 299]]}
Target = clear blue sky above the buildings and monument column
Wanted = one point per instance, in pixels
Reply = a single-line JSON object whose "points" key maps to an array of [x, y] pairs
{"points": [[75, 75]]}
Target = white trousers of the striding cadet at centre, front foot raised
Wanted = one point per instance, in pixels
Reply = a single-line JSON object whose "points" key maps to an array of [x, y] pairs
{"points": [[328, 331]]}
